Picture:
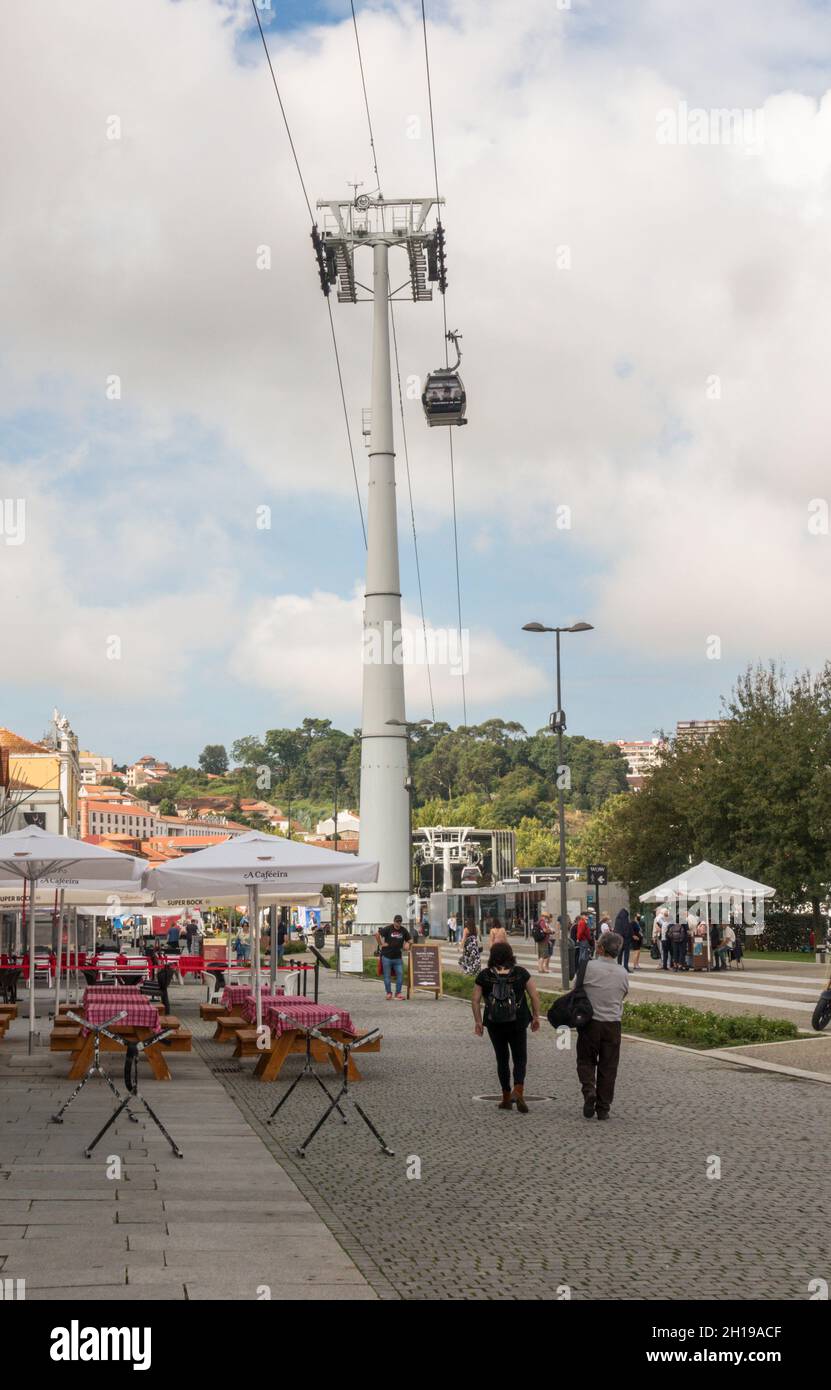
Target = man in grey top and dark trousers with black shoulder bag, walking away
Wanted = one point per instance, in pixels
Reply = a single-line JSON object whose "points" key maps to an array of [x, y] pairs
{"points": [[598, 1046]]}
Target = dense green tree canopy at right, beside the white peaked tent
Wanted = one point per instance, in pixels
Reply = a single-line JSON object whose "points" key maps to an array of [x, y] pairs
{"points": [[754, 799]]}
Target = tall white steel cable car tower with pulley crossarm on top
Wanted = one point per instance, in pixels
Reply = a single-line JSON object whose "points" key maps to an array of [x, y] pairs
{"points": [[384, 806]]}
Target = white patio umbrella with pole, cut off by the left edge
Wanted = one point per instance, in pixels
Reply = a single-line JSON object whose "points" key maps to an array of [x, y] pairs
{"points": [[34, 854]]}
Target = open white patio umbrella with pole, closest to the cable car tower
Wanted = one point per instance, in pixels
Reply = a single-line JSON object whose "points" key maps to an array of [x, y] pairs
{"points": [[258, 864]]}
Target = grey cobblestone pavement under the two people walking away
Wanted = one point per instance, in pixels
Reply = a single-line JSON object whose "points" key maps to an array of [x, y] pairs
{"points": [[522, 1207]]}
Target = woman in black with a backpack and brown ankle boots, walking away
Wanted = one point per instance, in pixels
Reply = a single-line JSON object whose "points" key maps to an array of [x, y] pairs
{"points": [[507, 989]]}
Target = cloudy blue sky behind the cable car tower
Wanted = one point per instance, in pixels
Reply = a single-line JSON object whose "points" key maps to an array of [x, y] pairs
{"points": [[644, 295]]}
